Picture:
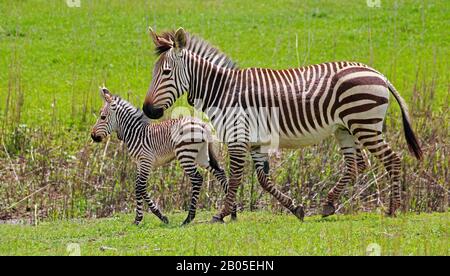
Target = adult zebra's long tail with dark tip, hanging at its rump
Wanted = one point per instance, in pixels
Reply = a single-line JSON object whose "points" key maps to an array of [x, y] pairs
{"points": [[413, 143]]}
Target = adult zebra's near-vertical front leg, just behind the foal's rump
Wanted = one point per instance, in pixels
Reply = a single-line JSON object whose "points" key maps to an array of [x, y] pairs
{"points": [[238, 153]]}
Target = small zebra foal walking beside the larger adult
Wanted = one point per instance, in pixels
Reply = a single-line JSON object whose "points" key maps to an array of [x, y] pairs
{"points": [[154, 144]]}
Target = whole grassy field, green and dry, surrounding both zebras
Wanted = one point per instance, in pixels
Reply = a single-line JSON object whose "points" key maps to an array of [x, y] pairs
{"points": [[53, 58]]}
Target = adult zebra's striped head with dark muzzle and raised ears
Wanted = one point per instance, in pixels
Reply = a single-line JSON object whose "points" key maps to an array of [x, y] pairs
{"points": [[170, 76]]}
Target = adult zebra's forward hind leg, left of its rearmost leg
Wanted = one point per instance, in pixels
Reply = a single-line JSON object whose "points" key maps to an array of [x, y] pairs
{"points": [[350, 151]]}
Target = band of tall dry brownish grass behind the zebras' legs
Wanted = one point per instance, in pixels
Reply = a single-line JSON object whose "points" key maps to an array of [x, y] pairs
{"points": [[38, 173]]}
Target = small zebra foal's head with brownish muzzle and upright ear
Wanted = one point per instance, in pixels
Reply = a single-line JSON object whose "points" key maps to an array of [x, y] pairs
{"points": [[106, 123]]}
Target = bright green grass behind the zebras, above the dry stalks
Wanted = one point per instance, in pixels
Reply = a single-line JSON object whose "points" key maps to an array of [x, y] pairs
{"points": [[58, 56]]}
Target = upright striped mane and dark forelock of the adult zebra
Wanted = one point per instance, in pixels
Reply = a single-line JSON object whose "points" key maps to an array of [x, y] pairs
{"points": [[200, 47]]}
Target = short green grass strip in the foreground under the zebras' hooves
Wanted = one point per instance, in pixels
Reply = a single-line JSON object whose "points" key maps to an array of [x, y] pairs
{"points": [[257, 233]]}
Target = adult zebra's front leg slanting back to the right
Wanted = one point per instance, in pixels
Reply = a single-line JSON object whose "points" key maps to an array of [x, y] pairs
{"points": [[262, 171]]}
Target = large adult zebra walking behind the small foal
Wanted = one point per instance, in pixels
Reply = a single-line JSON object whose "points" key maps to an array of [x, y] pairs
{"points": [[347, 99]]}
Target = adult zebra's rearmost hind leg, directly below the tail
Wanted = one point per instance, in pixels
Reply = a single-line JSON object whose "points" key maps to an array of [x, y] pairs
{"points": [[392, 163]]}
